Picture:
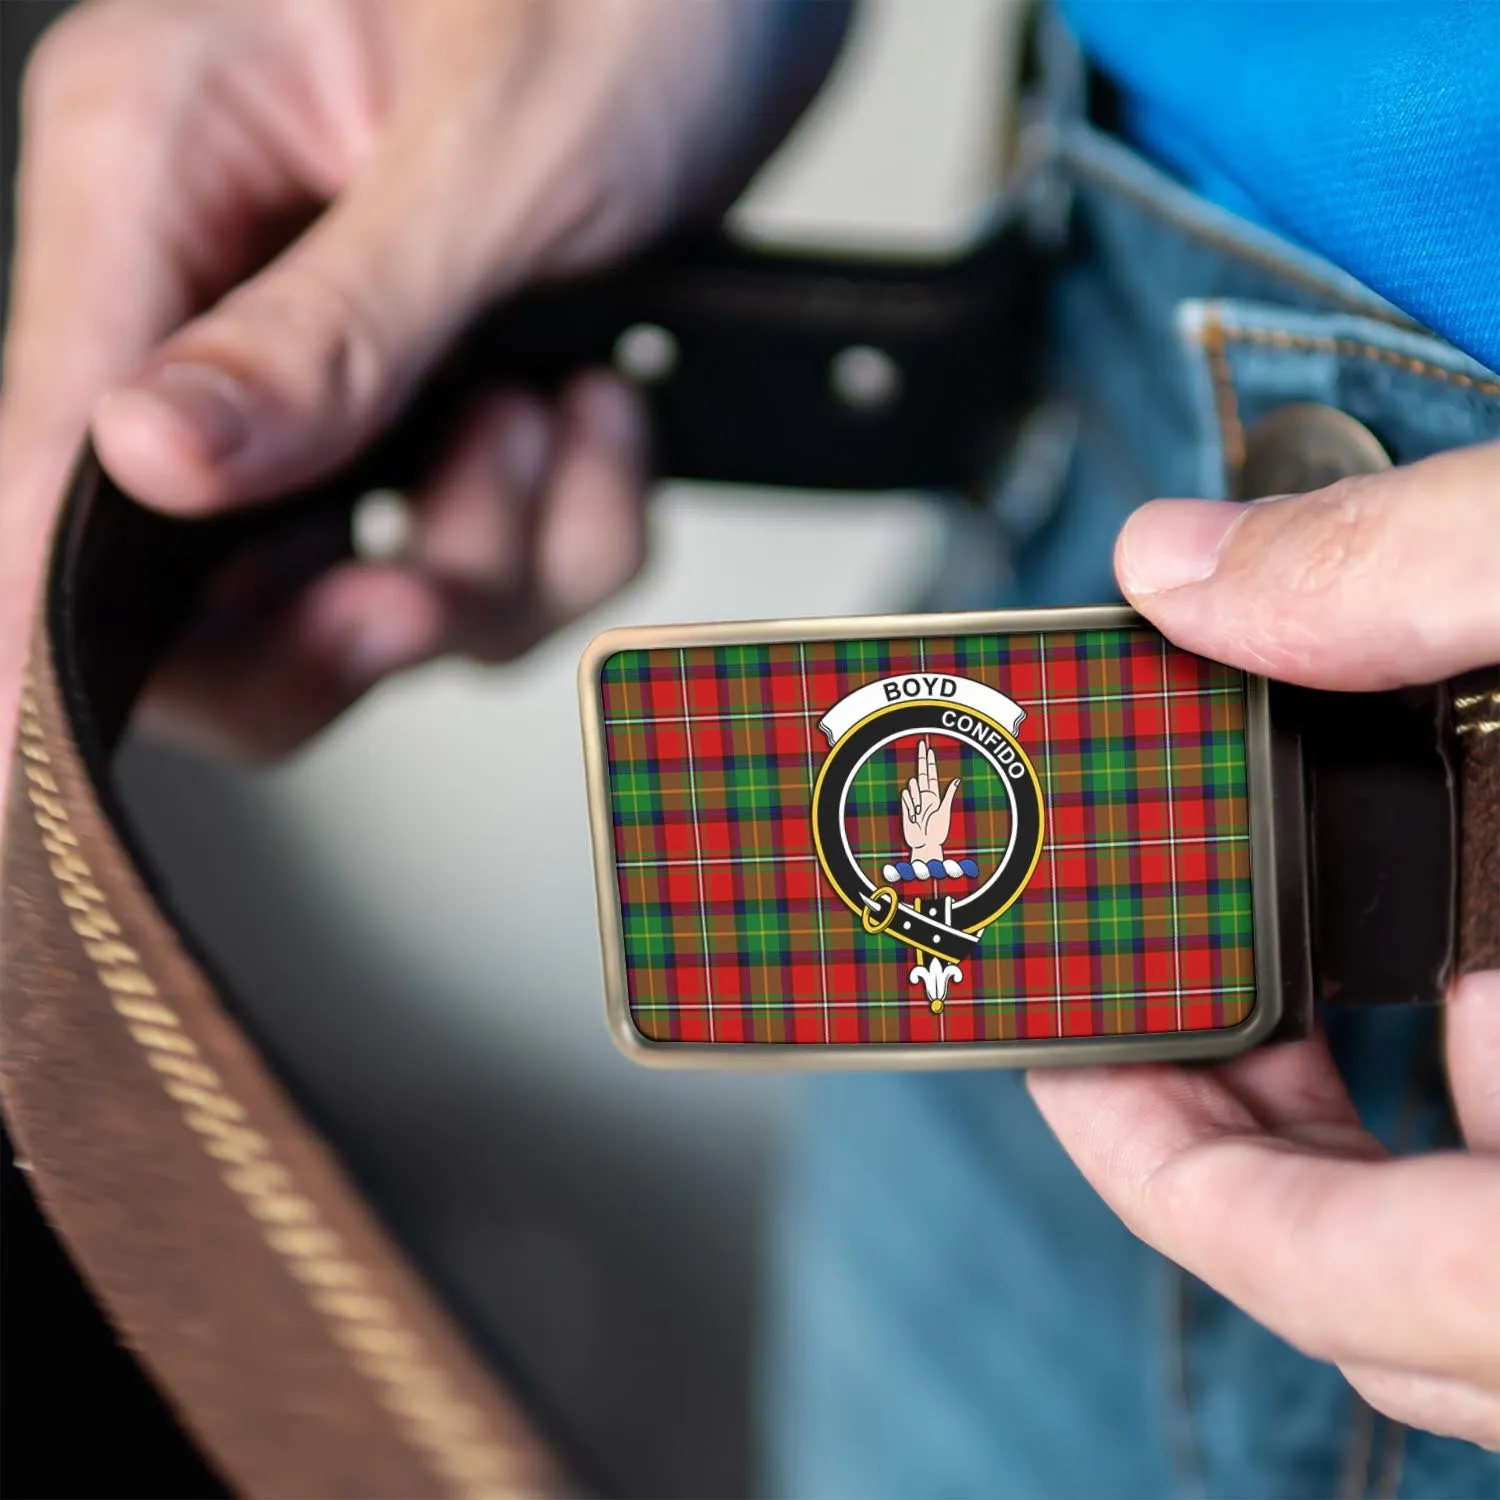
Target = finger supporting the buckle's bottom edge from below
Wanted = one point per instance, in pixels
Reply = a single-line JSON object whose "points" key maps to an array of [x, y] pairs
{"points": [[1310, 1244]]}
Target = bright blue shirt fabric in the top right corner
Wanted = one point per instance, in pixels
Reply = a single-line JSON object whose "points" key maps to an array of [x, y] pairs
{"points": [[1369, 131]]}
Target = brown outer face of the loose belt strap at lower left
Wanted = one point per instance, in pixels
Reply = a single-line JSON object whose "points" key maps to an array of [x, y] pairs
{"points": [[230, 1247]]}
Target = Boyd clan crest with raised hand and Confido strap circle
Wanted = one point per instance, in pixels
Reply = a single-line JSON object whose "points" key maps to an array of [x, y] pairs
{"points": [[923, 863]]}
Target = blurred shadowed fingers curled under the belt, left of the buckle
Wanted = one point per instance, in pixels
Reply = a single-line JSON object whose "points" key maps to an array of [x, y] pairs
{"points": [[476, 577]]}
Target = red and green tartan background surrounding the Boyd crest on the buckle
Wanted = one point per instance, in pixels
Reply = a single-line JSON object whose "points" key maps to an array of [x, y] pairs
{"points": [[1138, 919]]}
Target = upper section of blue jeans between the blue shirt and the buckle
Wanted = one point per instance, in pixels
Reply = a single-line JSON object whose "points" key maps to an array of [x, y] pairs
{"points": [[1174, 328]]}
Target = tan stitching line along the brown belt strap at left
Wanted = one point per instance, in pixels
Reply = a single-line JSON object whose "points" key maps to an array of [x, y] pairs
{"points": [[367, 1327]]}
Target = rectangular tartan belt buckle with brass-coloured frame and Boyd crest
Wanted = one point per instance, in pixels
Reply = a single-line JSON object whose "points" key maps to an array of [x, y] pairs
{"points": [[1015, 838]]}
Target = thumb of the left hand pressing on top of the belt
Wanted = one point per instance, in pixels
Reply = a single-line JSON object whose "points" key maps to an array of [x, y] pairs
{"points": [[296, 370]]}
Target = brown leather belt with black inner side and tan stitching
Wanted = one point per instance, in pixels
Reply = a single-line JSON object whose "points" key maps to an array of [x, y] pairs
{"points": [[217, 1226]]}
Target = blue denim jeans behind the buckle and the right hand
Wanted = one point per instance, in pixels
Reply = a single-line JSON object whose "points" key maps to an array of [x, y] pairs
{"points": [[952, 1309]]}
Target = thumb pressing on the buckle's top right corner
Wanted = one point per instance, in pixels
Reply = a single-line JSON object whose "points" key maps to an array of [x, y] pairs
{"points": [[1375, 583]]}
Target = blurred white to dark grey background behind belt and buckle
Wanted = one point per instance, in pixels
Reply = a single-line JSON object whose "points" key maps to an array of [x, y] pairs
{"points": [[599, 1223]]}
